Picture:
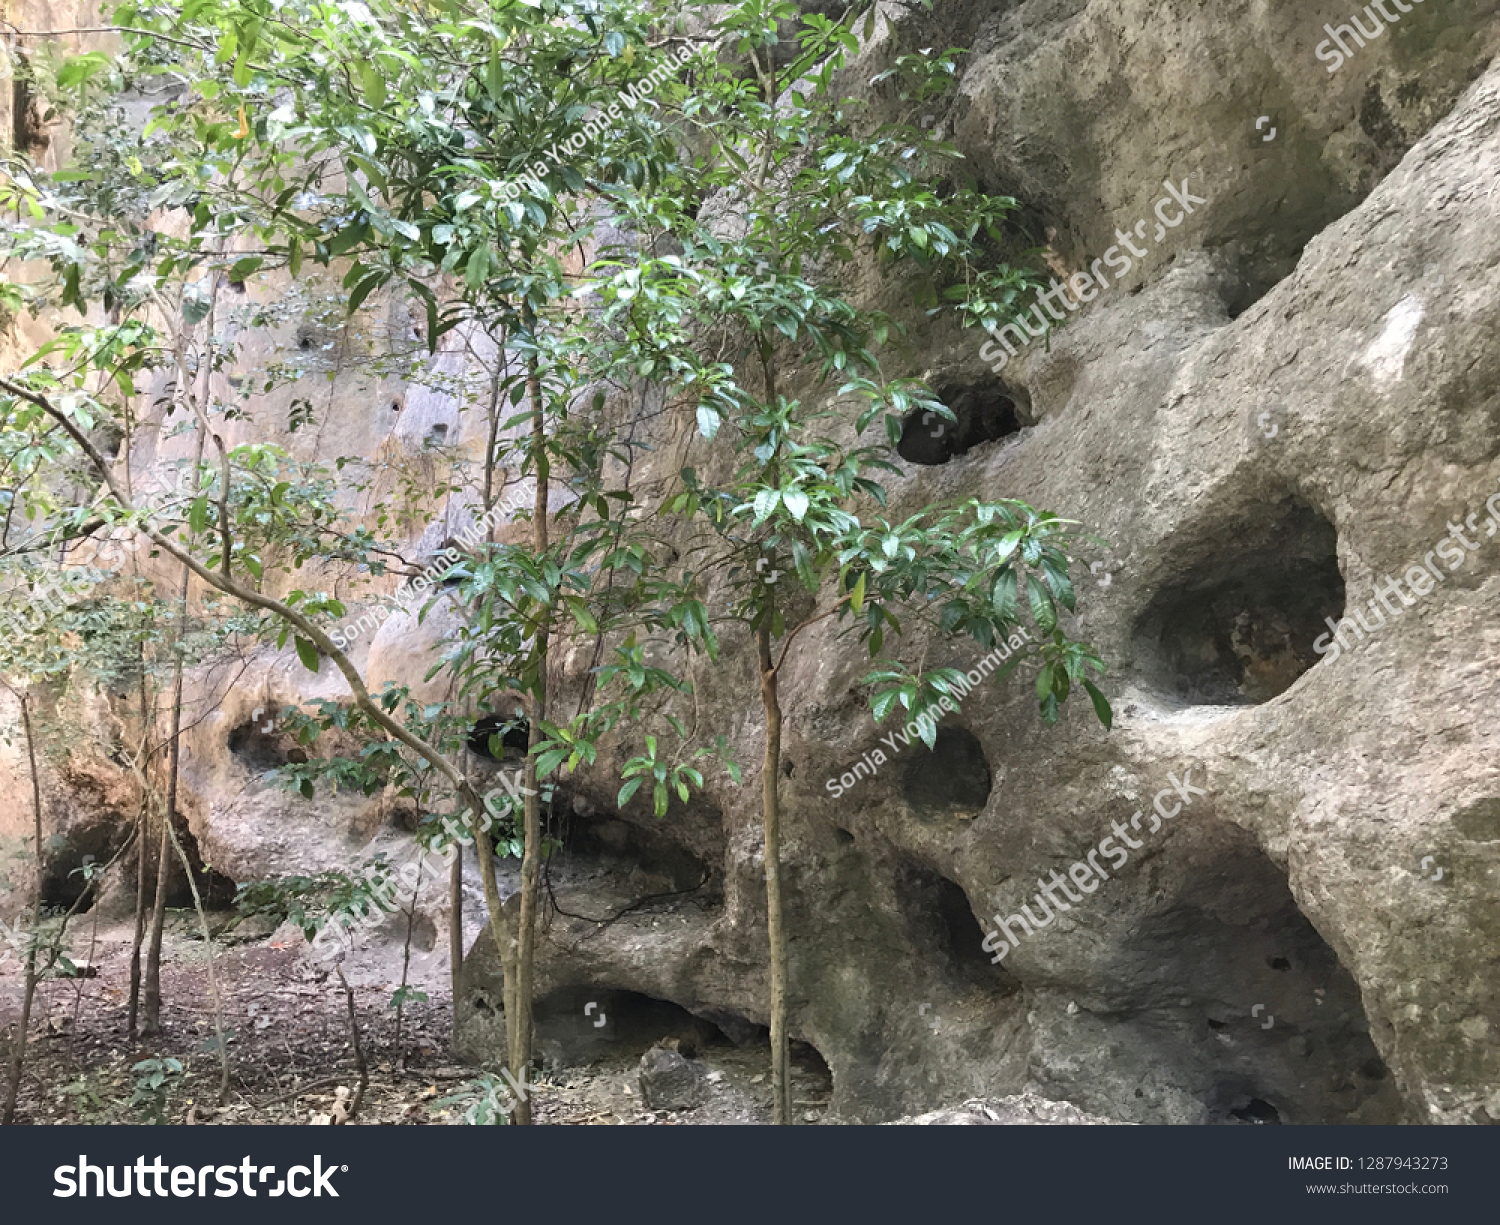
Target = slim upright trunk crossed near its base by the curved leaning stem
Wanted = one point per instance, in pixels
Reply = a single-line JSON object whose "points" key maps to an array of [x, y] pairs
{"points": [[520, 1023]]}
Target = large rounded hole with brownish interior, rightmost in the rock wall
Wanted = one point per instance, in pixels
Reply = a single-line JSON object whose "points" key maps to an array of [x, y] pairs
{"points": [[1238, 623]]}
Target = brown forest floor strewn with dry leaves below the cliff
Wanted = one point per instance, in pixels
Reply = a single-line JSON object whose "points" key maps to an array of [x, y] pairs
{"points": [[290, 1050]]}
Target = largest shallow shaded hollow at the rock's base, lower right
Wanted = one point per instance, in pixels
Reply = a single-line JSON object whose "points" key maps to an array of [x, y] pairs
{"points": [[1295, 1038]]}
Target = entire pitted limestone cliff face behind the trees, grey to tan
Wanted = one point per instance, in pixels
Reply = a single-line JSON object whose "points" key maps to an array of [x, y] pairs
{"points": [[1289, 401]]}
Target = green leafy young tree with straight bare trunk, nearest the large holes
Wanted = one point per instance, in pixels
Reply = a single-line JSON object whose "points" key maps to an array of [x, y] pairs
{"points": [[809, 184]]}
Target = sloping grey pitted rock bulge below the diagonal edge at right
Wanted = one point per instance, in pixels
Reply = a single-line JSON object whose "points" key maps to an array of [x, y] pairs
{"points": [[1282, 950]]}
